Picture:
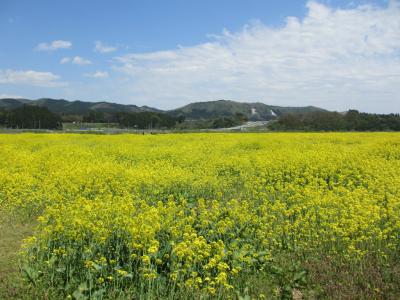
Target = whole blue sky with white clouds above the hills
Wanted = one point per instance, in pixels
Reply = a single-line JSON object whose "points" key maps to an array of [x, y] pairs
{"points": [[333, 54]]}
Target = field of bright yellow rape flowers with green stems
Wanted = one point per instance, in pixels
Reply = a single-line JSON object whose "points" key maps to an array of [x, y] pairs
{"points": [[202, 215]]}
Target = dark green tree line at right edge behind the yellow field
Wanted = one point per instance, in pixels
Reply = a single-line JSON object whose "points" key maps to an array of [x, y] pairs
{"points": [[334, 121]]}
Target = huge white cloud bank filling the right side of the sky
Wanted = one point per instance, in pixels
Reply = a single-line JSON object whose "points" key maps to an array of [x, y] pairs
{"points": [[334, 58]]}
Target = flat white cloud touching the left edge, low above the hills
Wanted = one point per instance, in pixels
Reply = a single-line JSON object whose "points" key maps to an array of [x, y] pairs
{"points": [[34, 78]]}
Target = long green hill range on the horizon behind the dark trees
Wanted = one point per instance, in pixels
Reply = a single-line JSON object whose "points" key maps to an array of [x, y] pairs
{"points": [[194, 111]]}
